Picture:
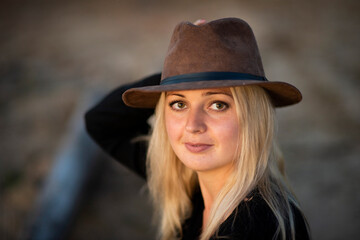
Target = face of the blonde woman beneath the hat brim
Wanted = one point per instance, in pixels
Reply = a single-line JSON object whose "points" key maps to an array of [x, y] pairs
{"points": [[203, 128]]}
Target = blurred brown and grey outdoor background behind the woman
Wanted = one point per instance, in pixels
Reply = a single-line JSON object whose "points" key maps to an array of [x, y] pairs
{"points": [[58, 57]]}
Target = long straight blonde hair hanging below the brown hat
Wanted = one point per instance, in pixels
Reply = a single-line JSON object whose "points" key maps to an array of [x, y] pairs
{"points": [[259, 164]]}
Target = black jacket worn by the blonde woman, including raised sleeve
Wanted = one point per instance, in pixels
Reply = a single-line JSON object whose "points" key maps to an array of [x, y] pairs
{"points": [[113, 125]]}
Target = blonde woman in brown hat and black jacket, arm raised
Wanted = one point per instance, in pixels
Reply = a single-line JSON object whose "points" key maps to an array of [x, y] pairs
{"points": [[212, 165]]}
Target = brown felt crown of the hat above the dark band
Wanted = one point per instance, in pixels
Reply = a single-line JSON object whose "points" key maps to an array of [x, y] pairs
{"points": [[224, 45]]}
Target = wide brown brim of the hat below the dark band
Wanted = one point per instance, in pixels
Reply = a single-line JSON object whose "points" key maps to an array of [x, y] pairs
{"points": [[281, 93]]}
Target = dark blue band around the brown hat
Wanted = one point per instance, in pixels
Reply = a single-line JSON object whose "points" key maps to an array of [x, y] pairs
{"points": [[210, 76]]}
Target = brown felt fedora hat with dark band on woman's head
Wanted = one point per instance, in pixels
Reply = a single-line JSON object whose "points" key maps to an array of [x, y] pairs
{"points": [[220, 53]]}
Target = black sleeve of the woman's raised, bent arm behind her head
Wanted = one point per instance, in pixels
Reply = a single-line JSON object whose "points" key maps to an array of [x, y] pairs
{"points": [[112, 125]]}
